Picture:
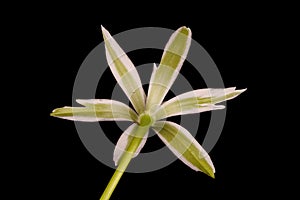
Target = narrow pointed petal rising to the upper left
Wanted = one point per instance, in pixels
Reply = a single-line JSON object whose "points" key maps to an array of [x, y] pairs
{"points": [[124, 72]]}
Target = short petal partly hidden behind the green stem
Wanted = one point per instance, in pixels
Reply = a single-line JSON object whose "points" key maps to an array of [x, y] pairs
{"points": [[131, 141]]}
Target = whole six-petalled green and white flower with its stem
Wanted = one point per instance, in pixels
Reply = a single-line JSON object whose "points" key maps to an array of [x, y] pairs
{"points": [[150, 111]]}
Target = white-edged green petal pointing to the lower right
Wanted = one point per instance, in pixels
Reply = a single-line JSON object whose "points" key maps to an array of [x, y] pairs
{"points": [[184, 146]]}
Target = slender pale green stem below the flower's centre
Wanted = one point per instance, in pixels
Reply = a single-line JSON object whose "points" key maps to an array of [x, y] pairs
{"points": [[124, 161]]}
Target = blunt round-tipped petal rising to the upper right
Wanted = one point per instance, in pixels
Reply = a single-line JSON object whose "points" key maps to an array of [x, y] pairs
{"points": [[172, 59]]}
